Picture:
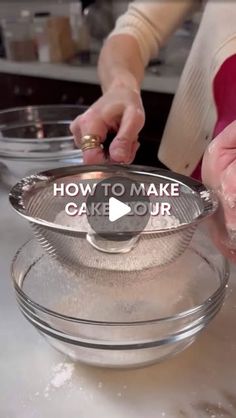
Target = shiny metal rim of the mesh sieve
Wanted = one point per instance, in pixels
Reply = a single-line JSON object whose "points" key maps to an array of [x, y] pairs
{"points": [[16, 196]]}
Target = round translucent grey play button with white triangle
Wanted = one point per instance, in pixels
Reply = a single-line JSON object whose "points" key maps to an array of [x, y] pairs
{"points": [[114, 215]]}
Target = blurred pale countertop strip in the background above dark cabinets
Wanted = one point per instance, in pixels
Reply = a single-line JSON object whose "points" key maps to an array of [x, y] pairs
{"points": [[166, 82]]}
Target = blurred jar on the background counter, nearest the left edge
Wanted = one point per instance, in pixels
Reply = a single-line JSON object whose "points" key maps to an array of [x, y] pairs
{"points": [[19, 38]]}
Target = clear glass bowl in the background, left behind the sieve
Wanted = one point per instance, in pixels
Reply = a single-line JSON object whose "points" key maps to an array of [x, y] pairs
{"points": [[37, 138]]}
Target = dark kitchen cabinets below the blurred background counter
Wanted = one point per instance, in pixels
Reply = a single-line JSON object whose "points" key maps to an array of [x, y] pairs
{"points": [[18, 90]]}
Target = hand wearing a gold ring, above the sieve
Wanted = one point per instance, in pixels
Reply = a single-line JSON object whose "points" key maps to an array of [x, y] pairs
{"points": [[119, 110]]}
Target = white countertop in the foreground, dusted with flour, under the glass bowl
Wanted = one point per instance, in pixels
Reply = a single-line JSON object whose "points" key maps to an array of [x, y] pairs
{"points": [[198, 383]]}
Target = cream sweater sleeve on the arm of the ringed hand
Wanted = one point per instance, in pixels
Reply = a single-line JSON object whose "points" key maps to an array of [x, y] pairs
{"points": [[152, 22]]}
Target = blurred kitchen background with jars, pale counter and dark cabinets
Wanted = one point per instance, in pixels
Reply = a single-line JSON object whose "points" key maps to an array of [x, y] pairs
{"points": [[49, 51]]}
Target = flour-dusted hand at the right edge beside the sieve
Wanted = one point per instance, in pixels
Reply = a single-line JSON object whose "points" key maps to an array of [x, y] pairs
{"points": [[219, 173]]}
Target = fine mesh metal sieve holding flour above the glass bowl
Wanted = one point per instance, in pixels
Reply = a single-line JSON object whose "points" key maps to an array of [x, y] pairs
{"points": [[74, 243]]}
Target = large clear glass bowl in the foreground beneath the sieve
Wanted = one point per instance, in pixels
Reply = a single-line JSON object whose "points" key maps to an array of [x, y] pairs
{"points": [[121, 319]]}
